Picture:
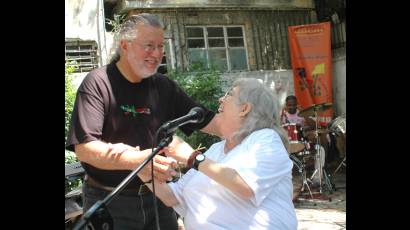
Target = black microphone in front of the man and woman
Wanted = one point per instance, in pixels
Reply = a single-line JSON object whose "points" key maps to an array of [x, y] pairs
{"points": [[195, 115]]}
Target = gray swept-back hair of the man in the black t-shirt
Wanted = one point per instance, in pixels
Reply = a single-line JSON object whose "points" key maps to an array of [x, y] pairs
{"points": [[128, 31]]}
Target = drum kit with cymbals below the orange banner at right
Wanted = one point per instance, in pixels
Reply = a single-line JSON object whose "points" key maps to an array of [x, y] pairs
{"points": [[300, 147]]}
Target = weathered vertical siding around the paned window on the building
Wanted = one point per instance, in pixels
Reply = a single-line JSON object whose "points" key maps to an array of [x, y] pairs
{"points": [[266, 33]]}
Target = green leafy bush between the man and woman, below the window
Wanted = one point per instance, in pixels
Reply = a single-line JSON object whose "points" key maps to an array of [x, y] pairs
{"points": [[205, 87]]}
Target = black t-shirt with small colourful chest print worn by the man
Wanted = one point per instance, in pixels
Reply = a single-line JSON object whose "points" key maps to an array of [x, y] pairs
{"points": [[110, 108]]}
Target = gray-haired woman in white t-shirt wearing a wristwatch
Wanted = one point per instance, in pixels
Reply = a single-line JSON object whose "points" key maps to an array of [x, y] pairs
{"points": [[243, 181]]}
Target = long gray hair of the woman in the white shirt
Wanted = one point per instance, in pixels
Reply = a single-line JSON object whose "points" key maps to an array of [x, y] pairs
{"points": [[265, 108]]}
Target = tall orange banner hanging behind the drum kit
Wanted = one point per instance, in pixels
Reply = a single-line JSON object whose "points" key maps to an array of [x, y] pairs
{"points": [[312, 66]]}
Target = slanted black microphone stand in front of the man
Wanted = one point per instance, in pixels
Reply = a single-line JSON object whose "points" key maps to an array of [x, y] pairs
{"points": [[103, 219]]}
